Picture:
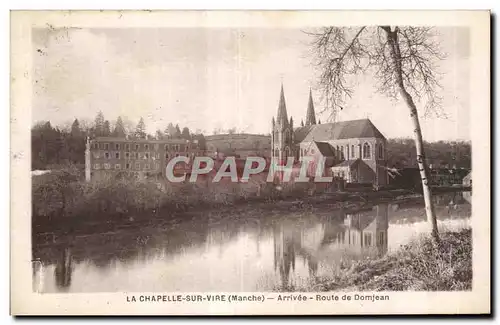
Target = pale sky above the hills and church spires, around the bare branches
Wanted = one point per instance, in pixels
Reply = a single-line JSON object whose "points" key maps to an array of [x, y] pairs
{"points": [[209, 79]]}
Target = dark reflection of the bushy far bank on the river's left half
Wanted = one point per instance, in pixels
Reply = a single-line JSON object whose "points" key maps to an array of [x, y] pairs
{"points": [[140, 244]]}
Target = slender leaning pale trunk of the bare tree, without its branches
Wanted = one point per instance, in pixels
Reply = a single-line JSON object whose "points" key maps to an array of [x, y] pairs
{"points": [[392, 37]]}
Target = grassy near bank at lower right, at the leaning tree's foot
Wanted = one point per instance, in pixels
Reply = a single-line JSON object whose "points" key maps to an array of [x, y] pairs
{"points": [[418, 266]]}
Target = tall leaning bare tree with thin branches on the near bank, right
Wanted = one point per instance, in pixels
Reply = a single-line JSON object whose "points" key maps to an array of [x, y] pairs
{"points": [[403, 60]]}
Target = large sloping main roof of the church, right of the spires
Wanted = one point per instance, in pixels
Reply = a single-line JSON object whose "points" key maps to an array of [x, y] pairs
{"points": [[363, 128]]}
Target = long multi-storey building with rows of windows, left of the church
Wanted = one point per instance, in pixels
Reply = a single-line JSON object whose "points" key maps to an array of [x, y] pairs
{"points": [[134, 157]]}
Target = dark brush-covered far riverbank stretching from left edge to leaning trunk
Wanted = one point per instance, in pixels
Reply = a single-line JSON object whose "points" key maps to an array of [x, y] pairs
{"points": [[62, 202]]}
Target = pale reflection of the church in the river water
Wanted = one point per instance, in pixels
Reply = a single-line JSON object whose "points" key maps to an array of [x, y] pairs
{"points": [[344, 235]]}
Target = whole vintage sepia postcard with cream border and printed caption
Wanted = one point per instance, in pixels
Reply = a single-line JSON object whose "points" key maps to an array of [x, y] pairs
{"points": [[250, 163]]}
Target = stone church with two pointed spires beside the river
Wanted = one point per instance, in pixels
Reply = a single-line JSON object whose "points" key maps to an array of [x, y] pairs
{"points": [[353, 150]]}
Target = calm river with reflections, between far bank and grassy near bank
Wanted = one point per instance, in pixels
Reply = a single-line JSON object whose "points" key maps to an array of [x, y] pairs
{"points": [[258, 250]]}
